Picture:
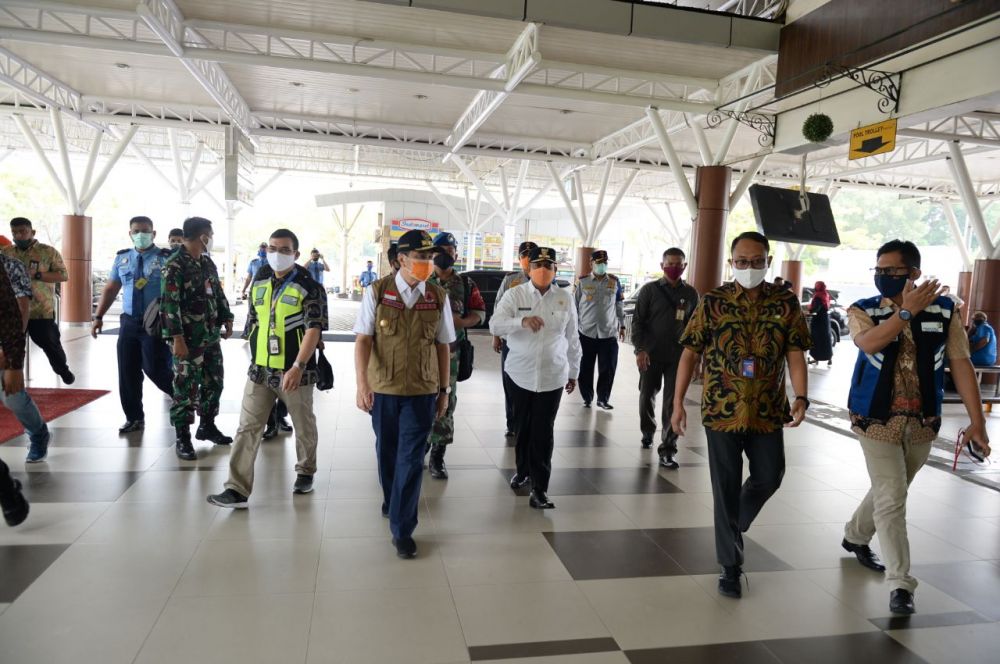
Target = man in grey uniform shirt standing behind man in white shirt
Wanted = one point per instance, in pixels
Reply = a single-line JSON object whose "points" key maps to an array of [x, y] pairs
{"points": [[600, 304]]}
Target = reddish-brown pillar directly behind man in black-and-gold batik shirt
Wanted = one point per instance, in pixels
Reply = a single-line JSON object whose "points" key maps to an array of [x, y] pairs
{"points": [[709, 232]]}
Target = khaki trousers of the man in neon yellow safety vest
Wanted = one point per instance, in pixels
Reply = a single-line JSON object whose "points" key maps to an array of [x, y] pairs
{"points": [[257, 403]]}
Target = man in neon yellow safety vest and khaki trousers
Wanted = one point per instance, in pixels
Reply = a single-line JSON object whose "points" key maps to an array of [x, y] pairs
{"points": [[286, 321]]}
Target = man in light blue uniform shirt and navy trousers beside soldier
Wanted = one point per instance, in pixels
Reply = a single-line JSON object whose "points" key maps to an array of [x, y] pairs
{"points": [[137, 271]]}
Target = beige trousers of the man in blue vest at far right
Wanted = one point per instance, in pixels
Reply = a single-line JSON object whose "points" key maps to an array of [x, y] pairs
{"points": [[891, 468]]}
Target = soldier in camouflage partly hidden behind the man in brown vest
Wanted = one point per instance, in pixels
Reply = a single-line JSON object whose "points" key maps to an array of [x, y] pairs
{"points": [[468, 310]]}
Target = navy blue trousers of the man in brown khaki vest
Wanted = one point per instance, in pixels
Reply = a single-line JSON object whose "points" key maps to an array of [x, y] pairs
{"points": [[402, 425]]}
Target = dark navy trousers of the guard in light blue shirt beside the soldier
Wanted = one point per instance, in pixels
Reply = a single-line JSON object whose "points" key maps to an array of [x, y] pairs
{"points": [[139, 353]]}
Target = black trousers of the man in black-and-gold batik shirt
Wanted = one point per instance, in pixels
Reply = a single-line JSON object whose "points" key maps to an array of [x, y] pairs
{"points": [[736, 507]]}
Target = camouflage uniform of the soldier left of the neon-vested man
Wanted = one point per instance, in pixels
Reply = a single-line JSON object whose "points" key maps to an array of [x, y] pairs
{"points": [[193, 304]]}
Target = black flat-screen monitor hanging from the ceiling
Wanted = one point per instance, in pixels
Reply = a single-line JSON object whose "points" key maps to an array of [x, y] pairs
{"points": [[780, 216]]}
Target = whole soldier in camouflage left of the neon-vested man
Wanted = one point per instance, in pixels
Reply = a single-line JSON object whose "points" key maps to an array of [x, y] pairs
{"points": [[193, 308]]}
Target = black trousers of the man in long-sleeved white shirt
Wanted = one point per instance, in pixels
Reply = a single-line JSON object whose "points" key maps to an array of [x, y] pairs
{"points": [[535, 419]]}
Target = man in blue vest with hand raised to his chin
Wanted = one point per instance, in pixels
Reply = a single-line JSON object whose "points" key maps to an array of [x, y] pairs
{"points": [[904, 335]]}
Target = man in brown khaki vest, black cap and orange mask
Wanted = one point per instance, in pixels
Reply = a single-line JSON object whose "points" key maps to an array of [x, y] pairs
{"points": [[402, 362]]}
